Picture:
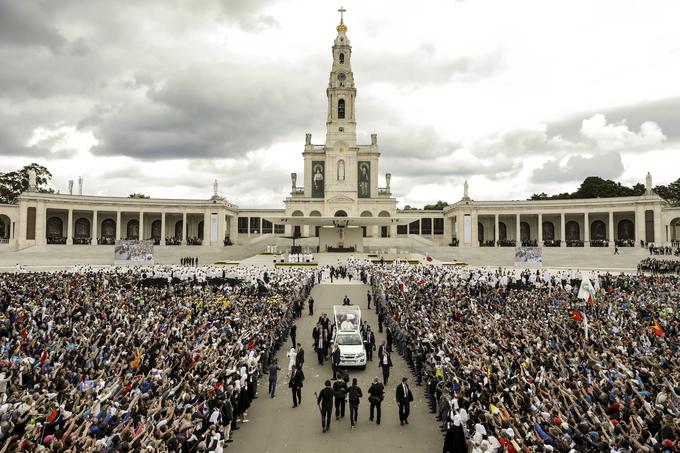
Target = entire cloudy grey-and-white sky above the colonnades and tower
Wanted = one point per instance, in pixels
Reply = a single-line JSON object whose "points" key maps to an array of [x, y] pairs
{"points": [[164, 96]]}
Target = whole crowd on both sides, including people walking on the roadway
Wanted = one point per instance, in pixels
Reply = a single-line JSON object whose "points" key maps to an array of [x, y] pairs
{"points": [[167, 358]]}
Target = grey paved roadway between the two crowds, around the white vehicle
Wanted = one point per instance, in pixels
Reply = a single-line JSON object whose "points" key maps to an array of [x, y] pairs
{"points": [[275, 426]]}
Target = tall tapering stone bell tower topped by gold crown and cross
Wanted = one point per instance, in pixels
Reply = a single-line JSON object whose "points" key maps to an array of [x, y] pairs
{"points": [[341, 93]]}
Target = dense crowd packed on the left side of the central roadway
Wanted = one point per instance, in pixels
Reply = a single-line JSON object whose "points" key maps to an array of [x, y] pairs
{"points": [[159, 358]]}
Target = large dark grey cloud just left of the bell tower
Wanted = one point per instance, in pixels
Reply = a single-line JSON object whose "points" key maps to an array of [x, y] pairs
{"points": [[203, 114]]}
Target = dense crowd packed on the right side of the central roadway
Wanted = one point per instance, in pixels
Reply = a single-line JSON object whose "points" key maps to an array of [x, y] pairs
{"points": [[517, 362]]}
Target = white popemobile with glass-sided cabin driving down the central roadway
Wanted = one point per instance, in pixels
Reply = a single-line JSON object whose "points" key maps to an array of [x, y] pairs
{"points": [[347, 336]]}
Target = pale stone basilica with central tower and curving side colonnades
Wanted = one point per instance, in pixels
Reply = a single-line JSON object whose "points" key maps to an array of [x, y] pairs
{"points": [[338, 199]]}
